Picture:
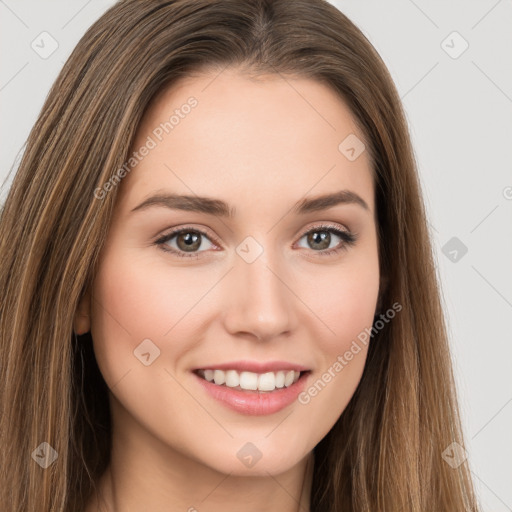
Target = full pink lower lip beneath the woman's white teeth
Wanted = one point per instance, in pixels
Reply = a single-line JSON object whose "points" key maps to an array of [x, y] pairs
{"points": [[255, 403]]}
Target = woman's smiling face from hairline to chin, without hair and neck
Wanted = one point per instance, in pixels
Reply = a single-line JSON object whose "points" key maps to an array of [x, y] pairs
{"points": [[252, 295]]}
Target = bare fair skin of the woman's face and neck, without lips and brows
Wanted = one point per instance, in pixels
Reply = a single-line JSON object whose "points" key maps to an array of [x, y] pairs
{"points": [[260, 145]]}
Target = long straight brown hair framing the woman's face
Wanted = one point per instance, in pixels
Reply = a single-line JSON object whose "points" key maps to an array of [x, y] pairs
{"points": [[385, 451]]}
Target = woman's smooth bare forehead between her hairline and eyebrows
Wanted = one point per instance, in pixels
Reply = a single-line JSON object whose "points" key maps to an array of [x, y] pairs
{"points": [[247, 139]]}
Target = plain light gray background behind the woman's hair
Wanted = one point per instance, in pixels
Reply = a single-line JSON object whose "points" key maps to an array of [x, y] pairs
{"points": [[460, 115]]}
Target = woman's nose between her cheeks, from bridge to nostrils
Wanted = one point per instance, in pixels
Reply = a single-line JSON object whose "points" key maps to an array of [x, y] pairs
{"points": [[259, 300]]}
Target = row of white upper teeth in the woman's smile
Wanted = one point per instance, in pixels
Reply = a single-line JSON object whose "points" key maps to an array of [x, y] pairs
{"points": [[251, 381]]}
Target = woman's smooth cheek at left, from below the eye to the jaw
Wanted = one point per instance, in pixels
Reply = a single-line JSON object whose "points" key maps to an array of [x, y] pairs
{"points": [[135, 301]]}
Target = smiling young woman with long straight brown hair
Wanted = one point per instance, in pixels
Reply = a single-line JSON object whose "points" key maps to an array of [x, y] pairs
{"points": [[218, 283]]}
